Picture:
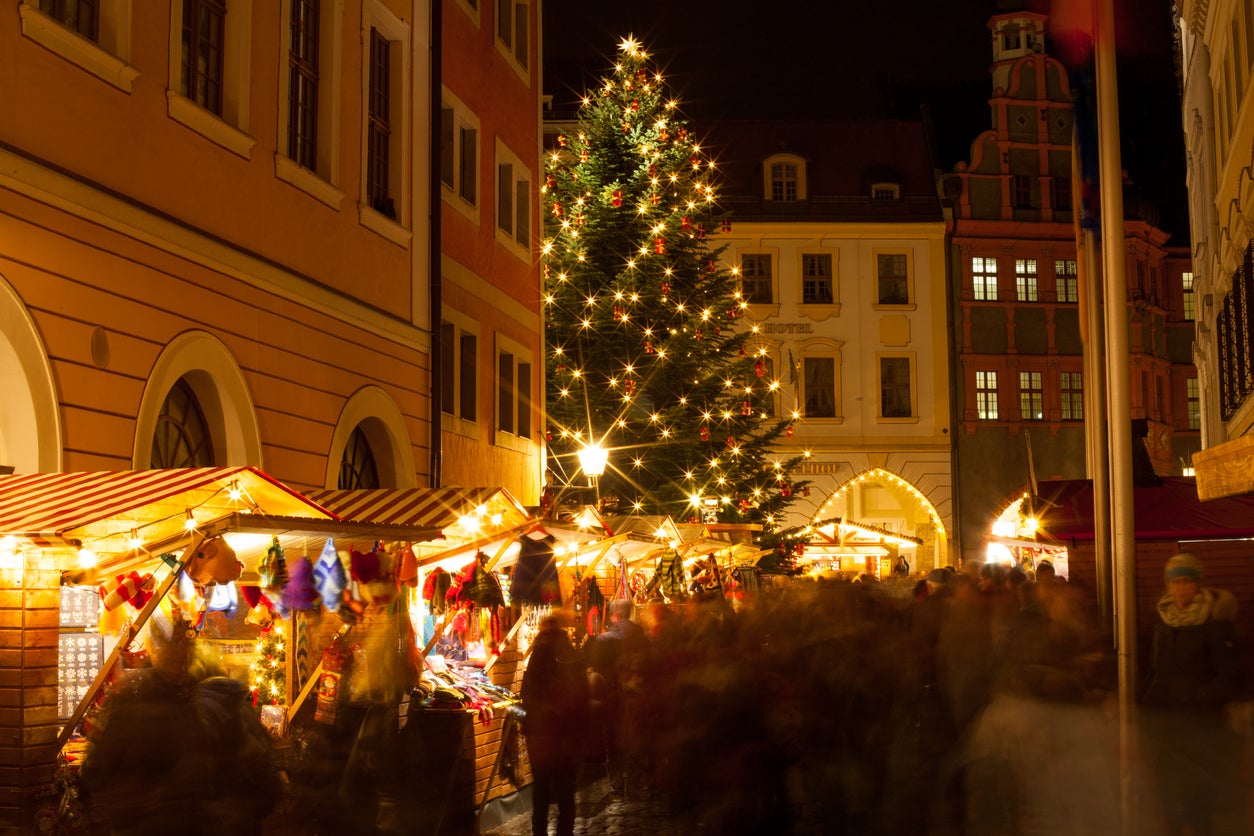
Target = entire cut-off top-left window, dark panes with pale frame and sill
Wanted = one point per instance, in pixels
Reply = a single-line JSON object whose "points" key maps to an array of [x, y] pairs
{"points": [[95, 36]]}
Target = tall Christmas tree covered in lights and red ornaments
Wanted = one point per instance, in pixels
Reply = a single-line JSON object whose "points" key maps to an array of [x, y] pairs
{"points": [[651, 354]]}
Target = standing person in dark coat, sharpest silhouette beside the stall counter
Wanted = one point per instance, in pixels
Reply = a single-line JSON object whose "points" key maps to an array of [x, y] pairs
{"points": [[556, 724]]}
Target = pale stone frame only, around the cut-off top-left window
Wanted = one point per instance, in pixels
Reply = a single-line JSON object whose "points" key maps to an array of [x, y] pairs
{"points": [[107, 57]]}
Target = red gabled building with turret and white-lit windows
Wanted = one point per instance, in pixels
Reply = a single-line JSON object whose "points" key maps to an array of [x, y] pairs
{"points": [[1020, 389]]}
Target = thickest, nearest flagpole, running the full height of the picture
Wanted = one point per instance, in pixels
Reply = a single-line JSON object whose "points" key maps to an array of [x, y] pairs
{"points": [[1118, 377]]}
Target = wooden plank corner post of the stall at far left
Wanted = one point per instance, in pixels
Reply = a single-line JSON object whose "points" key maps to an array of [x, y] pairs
{"points": [[29, 627]]}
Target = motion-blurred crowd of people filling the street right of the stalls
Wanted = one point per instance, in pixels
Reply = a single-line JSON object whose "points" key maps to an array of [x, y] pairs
{"points": [[960, 703]]}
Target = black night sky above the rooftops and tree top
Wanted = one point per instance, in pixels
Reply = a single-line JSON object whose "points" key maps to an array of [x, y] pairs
{"points": [[867, 60]]}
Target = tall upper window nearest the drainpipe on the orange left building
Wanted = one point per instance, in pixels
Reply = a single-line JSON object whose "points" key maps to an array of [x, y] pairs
{"points": [[386, 133]]}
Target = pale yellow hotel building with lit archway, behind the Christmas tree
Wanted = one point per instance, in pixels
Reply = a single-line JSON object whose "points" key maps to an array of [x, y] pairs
{"points": [[838, 235]]}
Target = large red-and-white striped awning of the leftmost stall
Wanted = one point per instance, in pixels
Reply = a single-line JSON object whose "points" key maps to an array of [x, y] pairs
{"points": [[103, 511]]}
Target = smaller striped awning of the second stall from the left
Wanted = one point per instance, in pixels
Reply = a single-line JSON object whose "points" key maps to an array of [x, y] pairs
{"points": [[458, 512]]}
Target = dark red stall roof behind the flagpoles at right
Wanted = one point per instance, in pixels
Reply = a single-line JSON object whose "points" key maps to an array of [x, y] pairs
{"points": [[1166, 512]]}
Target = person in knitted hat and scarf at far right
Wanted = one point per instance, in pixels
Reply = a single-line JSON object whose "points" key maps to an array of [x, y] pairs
{"points": [[1193, 675]]}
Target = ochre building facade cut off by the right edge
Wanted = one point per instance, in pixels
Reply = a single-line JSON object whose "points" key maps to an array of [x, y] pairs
{"points": [[1216, 61]]}
